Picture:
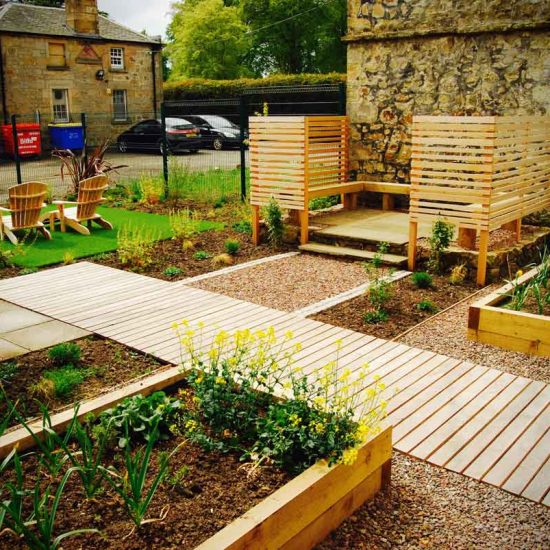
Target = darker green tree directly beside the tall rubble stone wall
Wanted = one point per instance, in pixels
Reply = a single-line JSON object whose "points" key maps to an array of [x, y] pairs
{"points": [[296, 36]]}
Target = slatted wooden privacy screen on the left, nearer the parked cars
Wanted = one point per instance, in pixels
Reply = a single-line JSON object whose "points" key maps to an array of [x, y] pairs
{"points": [[296, 158]]}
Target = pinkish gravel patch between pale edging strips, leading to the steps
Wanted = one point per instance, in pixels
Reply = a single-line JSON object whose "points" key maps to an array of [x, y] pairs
{"points": [[291, 283]]}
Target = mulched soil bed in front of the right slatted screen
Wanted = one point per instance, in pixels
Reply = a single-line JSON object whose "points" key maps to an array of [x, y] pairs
{"points": [[402, 310]]}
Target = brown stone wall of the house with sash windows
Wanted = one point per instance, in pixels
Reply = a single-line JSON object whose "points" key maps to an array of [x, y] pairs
{"points": [[30, 81]]}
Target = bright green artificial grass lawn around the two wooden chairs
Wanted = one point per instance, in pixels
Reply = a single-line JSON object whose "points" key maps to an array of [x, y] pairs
{"points": [[40, 252]]}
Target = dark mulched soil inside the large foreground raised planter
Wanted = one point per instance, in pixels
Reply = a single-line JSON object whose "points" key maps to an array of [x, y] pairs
{"points": [[216, 489]]}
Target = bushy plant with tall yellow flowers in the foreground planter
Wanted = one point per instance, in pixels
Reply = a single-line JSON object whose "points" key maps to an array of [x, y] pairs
{"points": [[314, 420]]}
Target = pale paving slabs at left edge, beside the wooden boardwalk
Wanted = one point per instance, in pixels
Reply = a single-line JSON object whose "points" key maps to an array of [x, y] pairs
{"points": [[23, 330]]}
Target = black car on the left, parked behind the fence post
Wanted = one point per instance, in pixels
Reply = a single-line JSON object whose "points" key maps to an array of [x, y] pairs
{"points": [[181, 135]]}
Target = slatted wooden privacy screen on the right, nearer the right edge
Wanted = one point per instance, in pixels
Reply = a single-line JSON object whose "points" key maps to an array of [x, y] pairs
{"points": [[479, 173]]}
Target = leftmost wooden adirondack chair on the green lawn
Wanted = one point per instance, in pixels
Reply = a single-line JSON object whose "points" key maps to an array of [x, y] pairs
{"points": [[26, 201]]}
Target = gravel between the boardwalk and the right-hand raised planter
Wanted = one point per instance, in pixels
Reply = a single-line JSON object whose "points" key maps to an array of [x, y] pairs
{"points": [[446, 334]]}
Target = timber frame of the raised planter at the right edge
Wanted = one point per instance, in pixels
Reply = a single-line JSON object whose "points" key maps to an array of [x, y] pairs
{"points": [[490, 323]]}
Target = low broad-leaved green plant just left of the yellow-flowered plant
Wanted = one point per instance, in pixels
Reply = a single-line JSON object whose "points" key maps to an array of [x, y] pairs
{"points": [[138, 415]]}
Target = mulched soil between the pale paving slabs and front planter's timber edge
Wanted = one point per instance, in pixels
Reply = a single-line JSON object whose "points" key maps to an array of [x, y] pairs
{"points": [[114, 364]]}
